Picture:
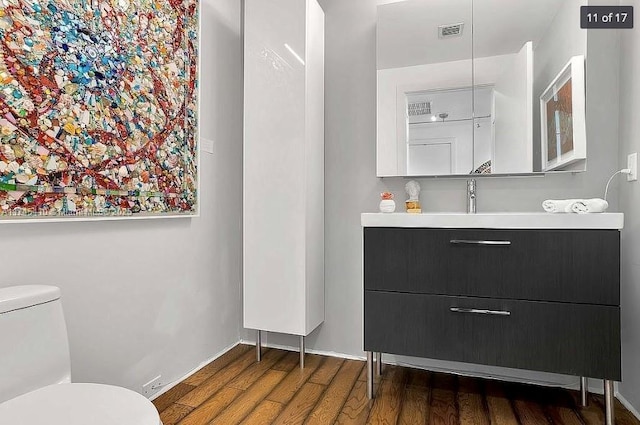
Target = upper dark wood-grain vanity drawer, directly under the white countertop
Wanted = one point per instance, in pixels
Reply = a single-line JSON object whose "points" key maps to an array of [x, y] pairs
{"points": [[579, 266]]}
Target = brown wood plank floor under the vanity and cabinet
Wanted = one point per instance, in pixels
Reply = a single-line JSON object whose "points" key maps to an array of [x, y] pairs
{"points": [[235, 389]]}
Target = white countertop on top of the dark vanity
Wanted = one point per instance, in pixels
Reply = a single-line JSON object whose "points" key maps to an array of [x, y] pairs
{"points": [[495, 220]]}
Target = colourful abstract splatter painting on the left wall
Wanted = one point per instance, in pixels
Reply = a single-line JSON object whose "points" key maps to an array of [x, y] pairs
{"points": [[98, 108]]}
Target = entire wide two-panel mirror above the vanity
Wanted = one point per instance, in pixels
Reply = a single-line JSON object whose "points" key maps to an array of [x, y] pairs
{"points": [[480, 87]]}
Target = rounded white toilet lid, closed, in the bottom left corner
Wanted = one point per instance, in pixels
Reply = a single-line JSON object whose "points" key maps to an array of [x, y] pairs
{"points": [[79, 404]]}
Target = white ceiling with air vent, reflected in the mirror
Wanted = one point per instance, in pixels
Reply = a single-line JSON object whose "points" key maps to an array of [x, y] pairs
{"points": [[408, 29]]}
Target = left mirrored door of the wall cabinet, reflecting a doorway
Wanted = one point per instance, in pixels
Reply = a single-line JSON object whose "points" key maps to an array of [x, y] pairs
{"points": [[425, 87]]}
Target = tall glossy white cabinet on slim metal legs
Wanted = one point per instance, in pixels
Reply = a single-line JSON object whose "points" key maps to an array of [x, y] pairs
{"points": [[283, 167]]}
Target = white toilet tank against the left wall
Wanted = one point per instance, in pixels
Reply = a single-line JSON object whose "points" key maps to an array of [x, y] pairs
{"points": [[34, 348]]}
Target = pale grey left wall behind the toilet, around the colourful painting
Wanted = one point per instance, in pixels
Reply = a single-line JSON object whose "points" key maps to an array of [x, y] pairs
{"points": [[150, 297]]}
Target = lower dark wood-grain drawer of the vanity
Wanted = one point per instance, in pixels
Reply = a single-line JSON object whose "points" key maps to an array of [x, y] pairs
{"points": [[573, 339]]}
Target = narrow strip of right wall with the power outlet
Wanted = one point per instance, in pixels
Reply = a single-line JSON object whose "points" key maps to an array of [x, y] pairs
{"points": [[630, 205]]}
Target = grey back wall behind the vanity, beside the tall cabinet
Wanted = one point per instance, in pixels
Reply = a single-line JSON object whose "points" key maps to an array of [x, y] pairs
{"points": [[352, 188]]}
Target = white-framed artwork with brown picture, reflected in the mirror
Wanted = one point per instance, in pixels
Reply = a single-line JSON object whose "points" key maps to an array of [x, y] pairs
{"points": [[563, 123]]}
